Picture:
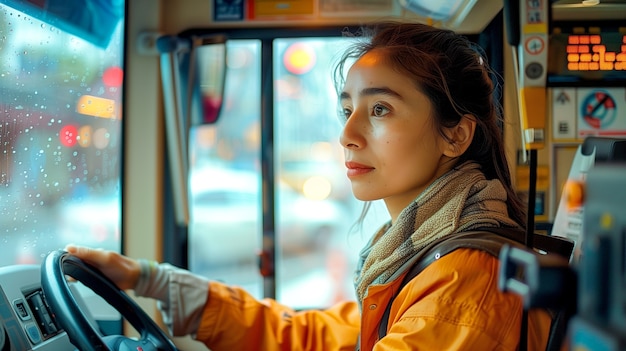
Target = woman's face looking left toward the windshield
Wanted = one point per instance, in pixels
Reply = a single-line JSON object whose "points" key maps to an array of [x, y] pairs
{"points": [[393, 150]]}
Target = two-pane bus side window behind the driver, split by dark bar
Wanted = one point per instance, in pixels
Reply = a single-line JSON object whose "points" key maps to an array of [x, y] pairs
{"points": [[313, 203]]}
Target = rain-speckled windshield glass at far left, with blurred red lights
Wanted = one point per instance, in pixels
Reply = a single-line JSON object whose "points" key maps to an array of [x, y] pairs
{"points": [[60, 132]]}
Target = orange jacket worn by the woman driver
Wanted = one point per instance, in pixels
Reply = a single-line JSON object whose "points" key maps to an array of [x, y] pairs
{"points": [[454, 304]]}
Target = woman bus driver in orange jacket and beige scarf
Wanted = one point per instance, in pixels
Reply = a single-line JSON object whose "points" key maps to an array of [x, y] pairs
{"points": [[421, 133]]}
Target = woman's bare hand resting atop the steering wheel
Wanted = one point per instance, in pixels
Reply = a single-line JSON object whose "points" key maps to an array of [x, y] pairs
{"points": [[122, 270]]}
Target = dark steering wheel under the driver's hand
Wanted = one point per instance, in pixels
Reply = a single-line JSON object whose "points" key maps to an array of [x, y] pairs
{"points": [[80, 331]]}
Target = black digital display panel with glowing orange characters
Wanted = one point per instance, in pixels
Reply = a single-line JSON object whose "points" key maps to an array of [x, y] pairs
{"points": [[587, 54]]}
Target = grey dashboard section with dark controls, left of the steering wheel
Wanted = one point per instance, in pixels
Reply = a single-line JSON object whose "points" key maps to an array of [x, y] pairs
{"points": [[26, 321]]}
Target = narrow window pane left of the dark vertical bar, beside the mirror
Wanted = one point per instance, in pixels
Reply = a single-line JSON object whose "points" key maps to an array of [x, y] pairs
{"points": [[225, 178]]}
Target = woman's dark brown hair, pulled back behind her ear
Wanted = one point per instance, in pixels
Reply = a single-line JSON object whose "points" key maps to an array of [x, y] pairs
{"points": [[453, 72]]}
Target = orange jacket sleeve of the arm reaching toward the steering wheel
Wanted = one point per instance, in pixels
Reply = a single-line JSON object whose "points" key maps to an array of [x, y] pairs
{"points": [[235, 320]]}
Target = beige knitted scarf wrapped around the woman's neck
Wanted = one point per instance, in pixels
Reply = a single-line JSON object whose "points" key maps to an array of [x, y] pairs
{"points": [[460, 200]]}
